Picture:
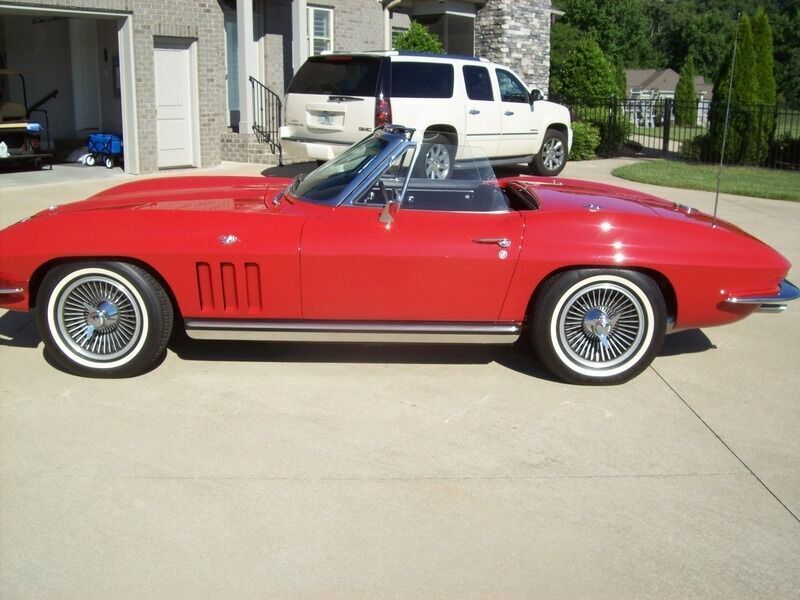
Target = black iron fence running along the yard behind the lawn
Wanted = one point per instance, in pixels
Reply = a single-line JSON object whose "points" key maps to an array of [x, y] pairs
{"points": [[761, 135]]}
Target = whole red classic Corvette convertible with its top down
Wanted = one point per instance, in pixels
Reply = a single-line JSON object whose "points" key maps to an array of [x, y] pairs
{"points": [[366, 248]]}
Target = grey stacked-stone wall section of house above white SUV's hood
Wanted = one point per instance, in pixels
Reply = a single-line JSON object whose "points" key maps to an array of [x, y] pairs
{"points": [[516, 33]]}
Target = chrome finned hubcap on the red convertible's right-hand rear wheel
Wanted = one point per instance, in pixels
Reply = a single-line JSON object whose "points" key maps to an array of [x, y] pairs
{"points": [[602, 325]]}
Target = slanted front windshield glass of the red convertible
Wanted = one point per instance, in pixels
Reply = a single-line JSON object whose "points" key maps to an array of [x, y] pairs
{"points": [[326, 184]]}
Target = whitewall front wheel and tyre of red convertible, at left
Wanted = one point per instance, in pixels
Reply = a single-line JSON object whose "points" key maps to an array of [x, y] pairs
{"points": [[106, 319]]}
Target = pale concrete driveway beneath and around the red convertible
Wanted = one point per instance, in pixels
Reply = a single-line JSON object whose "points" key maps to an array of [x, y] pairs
{"points": [[312, 471]]}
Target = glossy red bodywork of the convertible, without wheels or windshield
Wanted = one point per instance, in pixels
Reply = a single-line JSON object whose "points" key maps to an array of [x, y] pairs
{"points": [[247, 249]]}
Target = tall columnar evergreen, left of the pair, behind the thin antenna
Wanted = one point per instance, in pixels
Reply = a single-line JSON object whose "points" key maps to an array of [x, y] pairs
{"points": [[743, 130]]}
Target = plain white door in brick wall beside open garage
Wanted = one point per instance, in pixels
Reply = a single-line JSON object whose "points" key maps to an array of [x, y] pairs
{"points": [[175, 104]]}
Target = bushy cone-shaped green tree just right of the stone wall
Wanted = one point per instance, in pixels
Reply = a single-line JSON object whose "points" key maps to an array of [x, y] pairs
{"points": [[584, 76]]}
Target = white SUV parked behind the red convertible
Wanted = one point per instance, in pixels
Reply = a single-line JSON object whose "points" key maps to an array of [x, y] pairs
{"points": [[451, 101]]}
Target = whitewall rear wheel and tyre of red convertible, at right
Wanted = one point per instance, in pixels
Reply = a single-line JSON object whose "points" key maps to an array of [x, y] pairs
{"points": [[597, 326]]}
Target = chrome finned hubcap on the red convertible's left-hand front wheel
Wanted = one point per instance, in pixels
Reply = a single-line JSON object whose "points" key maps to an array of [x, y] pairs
{"points": [[98, 318]]}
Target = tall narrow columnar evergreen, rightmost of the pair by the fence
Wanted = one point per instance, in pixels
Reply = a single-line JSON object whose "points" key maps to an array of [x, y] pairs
{"points": [[765, 83]]}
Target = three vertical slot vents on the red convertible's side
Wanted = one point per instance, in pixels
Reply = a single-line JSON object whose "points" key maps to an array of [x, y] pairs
{"points": [[229, 287]]}
